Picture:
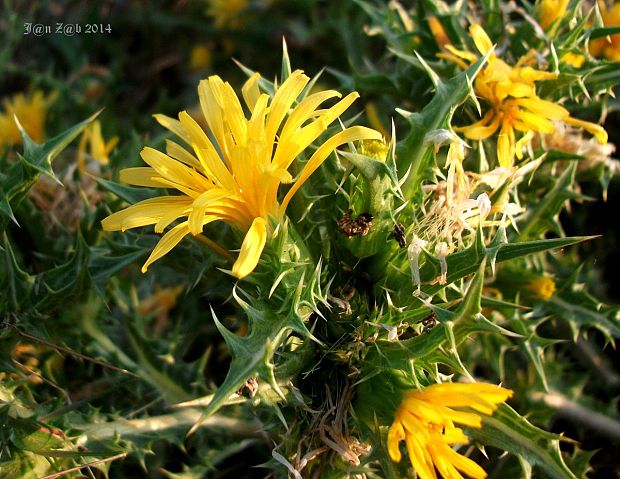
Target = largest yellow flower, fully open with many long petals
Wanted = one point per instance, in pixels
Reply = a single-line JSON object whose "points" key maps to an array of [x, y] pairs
{"points": [[236, 178]]}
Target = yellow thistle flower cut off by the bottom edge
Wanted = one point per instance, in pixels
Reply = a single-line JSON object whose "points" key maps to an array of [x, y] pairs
{"points": [[426, 422]]}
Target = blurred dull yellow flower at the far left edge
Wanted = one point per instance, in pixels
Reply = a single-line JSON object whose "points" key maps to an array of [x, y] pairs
{"points": [[30, 110]]}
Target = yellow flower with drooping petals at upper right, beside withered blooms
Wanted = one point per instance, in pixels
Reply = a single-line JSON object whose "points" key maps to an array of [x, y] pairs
{"points": [[515, 108]]}
